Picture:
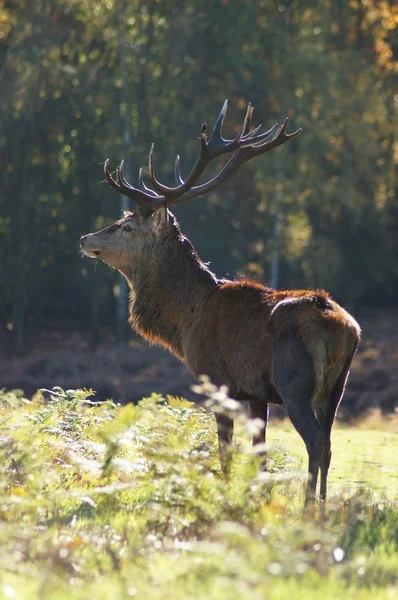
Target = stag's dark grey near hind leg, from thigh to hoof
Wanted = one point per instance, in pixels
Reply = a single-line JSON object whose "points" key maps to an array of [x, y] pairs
{"points": [[294, 379]]}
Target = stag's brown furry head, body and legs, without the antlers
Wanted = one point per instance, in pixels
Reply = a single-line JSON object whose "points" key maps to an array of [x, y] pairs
{"points": [[291, 347]]}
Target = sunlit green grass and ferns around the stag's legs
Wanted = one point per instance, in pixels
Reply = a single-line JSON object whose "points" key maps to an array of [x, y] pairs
{"points": [[103, 501]]}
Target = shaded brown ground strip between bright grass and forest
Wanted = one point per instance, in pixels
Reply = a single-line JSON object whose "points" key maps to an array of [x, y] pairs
{"points": [[127, 372]]}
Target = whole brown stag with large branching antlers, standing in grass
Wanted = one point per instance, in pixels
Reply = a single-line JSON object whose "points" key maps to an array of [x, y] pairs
{"points": [[267, 346]]}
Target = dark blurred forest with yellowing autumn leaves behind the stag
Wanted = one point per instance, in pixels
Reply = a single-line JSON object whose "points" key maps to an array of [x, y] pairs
{"points": [[83, 80]]}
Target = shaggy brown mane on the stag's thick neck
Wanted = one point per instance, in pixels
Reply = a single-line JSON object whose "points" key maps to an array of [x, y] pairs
{"points": [[169, 291]]}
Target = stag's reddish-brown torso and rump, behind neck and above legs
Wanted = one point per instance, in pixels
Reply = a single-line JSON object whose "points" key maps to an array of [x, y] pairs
{"points": [[256, 340]]}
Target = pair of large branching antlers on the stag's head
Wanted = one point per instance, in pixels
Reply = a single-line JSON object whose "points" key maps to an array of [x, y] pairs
{"points": [[245, 146]]}
